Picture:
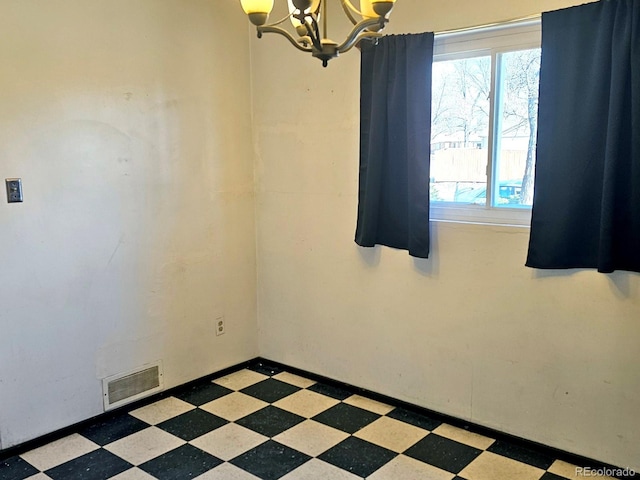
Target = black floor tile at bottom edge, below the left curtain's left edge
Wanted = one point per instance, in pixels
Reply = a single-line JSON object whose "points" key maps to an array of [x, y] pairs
{"points": [[357, 456]]}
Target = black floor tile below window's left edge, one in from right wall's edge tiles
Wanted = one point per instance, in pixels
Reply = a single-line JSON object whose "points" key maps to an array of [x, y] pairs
{"points": [[443, 453]]}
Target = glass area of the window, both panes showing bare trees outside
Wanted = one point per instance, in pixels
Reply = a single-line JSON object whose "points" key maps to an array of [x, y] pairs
{"points": [[461, 99]]}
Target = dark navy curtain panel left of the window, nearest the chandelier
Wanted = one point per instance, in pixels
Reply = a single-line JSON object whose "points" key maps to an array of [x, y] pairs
{"points": [[395, 137]]}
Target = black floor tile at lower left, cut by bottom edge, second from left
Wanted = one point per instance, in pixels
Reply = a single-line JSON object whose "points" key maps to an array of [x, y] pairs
{"points": [[97, 465]]}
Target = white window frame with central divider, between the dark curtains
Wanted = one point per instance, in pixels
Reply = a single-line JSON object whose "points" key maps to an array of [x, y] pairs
{"points": [[486, 41]]}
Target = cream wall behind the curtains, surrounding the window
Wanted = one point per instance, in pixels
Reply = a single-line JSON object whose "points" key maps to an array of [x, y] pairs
{"points": [[471, 332]]}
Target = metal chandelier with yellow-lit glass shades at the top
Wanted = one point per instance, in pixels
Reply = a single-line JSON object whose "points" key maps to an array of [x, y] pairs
{"points": [[306, 16]]}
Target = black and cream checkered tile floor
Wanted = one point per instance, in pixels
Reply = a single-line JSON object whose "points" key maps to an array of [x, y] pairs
{"points": [[266, 423]]}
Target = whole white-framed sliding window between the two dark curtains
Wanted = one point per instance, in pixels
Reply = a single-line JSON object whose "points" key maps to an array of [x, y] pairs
{"points": [[484, 123]]}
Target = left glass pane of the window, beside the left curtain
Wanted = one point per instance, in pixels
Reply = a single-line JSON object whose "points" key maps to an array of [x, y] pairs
{"points": [[460, 130]]}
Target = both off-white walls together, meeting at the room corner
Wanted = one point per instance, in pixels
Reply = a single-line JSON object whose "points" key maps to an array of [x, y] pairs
{"points": [[130, 125]]}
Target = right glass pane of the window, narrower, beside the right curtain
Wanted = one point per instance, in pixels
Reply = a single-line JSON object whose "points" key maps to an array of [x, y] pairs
{"points": [[517, 113]]}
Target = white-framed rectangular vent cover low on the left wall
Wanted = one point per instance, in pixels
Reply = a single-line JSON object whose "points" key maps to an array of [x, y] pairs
{"points": [[127, 387]]}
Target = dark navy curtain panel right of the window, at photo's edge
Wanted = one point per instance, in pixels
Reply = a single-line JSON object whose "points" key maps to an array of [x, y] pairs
{"points": [[586, 206]]}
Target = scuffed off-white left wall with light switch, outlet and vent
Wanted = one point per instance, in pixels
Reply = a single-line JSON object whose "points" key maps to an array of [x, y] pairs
{"points": [[129, 123]]}
